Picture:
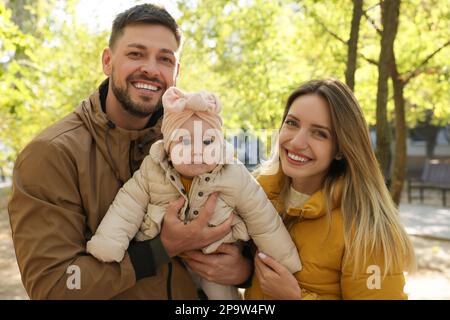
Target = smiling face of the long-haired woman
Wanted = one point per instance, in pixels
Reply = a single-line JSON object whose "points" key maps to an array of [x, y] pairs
{"points": [[307, 145]]}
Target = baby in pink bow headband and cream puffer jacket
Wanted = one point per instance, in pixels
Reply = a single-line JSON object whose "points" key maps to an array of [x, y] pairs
{"points": [[193, 161]]}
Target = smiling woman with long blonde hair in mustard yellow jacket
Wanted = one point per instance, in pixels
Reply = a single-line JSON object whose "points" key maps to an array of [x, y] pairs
{"points": [[326, 183]]}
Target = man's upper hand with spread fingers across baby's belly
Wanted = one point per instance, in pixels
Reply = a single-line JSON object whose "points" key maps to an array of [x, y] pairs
{"points": [[178, 237]]}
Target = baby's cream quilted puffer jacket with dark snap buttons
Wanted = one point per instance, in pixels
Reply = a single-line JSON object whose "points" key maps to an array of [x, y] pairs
{"points": [[139, 207]]}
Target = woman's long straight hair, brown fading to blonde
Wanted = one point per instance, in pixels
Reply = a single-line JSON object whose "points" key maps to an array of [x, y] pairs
{"points": [[371, 221]]}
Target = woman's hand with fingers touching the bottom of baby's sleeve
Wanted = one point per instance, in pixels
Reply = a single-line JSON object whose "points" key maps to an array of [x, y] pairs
{"points": [[275, 279]]}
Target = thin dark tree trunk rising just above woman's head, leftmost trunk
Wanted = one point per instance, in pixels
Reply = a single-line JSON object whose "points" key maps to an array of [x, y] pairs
{"points": [[353, 44]]}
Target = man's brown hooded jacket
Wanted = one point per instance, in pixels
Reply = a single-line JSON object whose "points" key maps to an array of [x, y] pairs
{"points": [[63, 184]]}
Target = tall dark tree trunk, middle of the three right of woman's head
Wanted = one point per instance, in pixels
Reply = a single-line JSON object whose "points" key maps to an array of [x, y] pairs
{"points": [[389, 12]]}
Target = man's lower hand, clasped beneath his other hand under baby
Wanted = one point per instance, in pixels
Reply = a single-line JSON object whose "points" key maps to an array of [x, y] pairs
{"points": [[225, 266]]}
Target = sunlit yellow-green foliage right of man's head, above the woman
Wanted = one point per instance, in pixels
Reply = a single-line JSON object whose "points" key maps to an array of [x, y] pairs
{"points": [[253, 53]]}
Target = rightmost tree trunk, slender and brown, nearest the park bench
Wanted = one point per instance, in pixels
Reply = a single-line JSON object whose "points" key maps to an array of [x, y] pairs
{"points": [[400, 154]]}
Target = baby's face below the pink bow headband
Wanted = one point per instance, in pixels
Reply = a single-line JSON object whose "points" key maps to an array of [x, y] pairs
{"points": [[194, 148]]}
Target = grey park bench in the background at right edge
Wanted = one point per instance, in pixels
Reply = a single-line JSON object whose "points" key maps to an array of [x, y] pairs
{"points": [[435, 175]]}
